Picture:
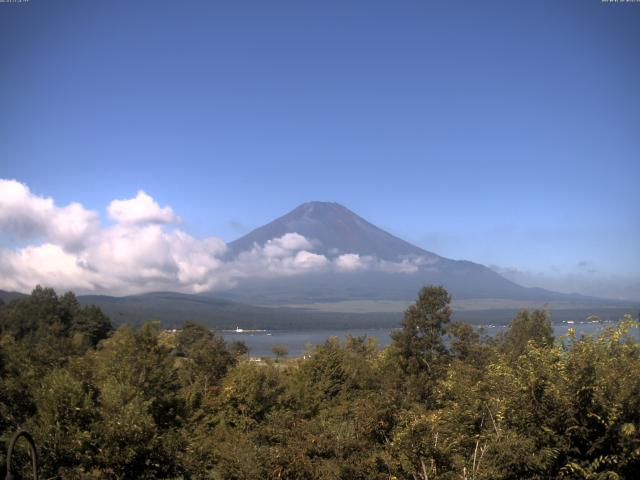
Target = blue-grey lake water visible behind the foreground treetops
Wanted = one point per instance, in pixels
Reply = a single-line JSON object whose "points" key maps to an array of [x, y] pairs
{"points": [[260, 343]]}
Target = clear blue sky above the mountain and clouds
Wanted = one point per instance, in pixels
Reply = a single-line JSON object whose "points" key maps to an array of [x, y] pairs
{"points": [[502, 132]]}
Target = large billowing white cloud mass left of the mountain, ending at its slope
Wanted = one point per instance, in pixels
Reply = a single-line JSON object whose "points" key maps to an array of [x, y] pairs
{"points": [[67, 248]]}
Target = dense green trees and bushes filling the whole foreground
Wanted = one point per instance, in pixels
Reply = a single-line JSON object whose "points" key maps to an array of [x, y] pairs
{"points": [[441, 402]]}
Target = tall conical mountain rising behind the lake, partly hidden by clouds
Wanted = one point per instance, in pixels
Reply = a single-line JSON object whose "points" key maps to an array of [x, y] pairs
{"points": [[336, 230]]}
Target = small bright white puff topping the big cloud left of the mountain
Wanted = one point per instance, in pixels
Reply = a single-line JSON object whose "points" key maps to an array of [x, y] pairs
{"points": [[141, 209]]}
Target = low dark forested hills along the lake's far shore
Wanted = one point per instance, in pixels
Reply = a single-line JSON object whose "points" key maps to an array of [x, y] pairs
{"points": [[174, 308]]}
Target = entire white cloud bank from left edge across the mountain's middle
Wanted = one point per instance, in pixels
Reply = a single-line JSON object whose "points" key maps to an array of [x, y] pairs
{"points": [[142, 249]]}
